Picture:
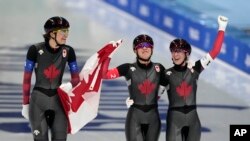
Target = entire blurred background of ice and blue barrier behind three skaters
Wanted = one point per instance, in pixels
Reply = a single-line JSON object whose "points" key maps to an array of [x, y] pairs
{"points": [[223, 96]]}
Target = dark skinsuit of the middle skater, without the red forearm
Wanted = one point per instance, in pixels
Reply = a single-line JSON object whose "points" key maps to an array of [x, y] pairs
{"points": [[143, 121]]}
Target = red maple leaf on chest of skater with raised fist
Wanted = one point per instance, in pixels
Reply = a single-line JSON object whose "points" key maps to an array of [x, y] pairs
{"points": [[184, 89]]}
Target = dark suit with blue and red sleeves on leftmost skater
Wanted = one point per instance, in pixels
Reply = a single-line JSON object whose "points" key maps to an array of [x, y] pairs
{"points": [[45, 109]]}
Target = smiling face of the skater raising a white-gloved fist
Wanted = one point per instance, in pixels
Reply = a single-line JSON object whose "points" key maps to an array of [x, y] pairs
{"points": [[178, 56]]}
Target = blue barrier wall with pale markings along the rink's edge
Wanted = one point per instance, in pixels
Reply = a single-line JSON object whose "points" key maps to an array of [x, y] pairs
{"points": [[234, 52]]}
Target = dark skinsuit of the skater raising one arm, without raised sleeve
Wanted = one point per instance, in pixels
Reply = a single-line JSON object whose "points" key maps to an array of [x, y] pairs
{"points": [[183, 123]]}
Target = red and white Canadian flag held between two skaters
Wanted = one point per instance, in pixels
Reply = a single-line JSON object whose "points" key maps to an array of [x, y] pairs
{"points": [[81, 102]]}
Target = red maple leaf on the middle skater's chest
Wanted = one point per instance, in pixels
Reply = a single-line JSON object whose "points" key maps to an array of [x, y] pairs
{"points": [[146, 87]]}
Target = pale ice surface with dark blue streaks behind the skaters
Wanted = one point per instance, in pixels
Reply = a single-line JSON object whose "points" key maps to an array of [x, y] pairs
{"points": [[223, 96]]}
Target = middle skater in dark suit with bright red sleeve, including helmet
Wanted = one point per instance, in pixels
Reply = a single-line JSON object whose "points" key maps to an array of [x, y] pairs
{"points": [[143, 79]]}
